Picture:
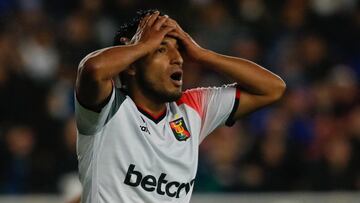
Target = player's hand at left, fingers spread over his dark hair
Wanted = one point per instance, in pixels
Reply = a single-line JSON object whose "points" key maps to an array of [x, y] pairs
{"points": [[151, 31]]}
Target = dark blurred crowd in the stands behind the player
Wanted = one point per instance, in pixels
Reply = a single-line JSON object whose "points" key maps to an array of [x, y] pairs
{"points": [[308, 141]]}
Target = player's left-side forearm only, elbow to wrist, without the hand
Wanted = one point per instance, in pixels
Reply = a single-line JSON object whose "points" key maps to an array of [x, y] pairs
{"points": [[109, 62]]}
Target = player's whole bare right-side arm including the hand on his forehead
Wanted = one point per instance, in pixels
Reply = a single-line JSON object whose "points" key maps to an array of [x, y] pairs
{"points": [[260, 87]]}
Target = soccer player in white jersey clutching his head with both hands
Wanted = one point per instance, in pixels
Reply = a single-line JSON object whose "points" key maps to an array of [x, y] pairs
{"points": [[138, 142]]}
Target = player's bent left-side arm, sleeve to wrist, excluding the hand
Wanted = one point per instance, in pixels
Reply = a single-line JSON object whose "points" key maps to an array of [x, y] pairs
{"points": [[95, 73]]}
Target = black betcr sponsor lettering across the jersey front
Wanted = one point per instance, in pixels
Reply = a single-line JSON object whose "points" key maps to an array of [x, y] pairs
{"points": [[160, 185]]}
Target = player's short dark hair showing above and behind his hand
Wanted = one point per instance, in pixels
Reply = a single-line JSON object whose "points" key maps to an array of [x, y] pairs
{"points": [[128, 29]]}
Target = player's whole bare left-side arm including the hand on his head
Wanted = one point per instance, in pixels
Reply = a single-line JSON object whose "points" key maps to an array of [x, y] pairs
{"points": [[96, 71]]}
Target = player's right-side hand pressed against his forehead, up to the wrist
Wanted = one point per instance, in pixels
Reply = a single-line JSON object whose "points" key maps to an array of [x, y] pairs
{"points": [[193, 51]]}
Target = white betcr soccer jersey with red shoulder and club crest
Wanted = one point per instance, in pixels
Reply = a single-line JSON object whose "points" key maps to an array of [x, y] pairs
{"points": [[127, 155]]}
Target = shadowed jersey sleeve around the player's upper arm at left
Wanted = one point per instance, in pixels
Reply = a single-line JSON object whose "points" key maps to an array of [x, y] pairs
{"points": [[90, 122]]}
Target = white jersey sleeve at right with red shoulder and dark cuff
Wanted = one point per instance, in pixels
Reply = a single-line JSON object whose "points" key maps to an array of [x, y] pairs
{"points": [[216, 106]]}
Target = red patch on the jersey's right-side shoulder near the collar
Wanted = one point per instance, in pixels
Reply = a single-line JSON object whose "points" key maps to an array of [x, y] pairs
{"points": [[194, 99]]}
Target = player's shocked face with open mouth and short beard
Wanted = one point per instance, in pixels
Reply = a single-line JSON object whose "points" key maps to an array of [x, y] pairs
{"points": [[159, 74]]}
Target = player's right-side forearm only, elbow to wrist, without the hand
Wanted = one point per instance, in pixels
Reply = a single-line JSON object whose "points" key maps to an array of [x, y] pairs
{"points": [[250, 76]]}
